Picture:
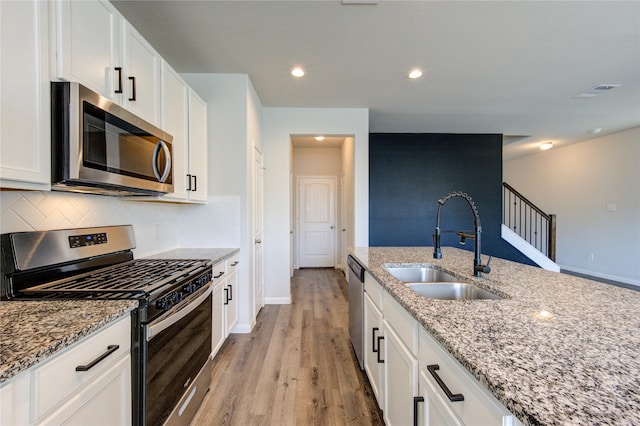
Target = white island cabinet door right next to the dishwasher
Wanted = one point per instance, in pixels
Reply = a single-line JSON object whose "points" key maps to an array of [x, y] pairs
{"points": [[373, 341]]}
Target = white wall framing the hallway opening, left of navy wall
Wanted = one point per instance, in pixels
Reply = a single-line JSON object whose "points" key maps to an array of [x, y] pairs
{"points": [[278, 126]]}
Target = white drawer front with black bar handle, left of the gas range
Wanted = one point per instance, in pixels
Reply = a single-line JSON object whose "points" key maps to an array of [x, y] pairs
{"points": [[57, 378]]}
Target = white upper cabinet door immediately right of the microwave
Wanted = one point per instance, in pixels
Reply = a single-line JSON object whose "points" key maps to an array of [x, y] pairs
{"points": [[175, 121]]}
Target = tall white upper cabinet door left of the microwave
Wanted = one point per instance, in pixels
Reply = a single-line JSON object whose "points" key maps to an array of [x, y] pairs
{"points": [[24, 96]]}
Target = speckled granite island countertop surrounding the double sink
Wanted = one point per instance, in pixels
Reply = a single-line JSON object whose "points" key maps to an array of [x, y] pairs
{"points": [[559, 350]]}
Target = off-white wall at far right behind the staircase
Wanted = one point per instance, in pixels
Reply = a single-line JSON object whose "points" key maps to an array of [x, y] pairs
{"points": [[578, 183]]}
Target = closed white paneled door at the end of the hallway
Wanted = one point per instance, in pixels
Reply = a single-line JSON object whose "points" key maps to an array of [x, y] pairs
{"points": [[317, 230]]}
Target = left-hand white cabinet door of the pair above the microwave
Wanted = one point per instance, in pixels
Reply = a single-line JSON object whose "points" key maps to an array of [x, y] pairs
{"points": [[88, 45]]}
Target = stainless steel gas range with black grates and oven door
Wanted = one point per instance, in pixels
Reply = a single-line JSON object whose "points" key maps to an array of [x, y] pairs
{"points": [[171, 332]]}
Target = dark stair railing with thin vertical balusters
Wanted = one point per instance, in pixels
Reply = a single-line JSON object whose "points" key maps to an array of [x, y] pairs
{"points": [[528, 221]]}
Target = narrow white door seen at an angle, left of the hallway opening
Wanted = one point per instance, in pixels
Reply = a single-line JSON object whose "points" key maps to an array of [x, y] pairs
{"points": [[258, 221]]}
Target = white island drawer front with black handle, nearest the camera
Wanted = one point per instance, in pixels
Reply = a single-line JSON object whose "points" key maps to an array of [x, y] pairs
{"points": [[479, 406]]}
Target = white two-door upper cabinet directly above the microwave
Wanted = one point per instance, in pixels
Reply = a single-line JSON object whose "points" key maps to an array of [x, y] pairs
{"points": [[96, 47]]}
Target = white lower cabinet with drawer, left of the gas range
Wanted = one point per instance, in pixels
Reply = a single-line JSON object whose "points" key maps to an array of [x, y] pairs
{"points": [[88, 383]]}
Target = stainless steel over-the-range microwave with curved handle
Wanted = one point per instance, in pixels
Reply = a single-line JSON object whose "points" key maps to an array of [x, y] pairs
{"points": [[98, 147]]}
